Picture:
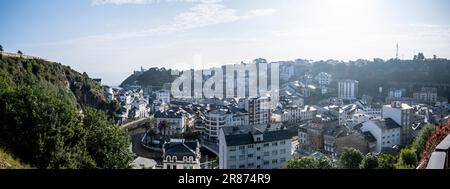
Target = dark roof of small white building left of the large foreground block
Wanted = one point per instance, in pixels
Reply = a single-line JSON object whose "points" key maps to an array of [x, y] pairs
{"points": [[180, 149]]}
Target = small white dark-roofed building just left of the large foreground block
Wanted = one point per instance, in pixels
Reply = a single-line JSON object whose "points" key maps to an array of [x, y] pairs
{"points": [[181, 154]]}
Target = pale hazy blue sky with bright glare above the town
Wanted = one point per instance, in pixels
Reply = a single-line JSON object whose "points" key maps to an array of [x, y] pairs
{"points": [[111, 38]]}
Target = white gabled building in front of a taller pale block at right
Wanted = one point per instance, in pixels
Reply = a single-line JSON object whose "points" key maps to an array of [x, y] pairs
{"points": [[385, 131]]}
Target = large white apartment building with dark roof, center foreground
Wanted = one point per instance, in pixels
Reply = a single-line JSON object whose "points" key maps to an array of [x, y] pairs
{"points": [[248, 147]]}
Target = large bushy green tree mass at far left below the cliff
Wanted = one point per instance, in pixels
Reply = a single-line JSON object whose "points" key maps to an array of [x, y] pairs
{"points": [[42, 129]]}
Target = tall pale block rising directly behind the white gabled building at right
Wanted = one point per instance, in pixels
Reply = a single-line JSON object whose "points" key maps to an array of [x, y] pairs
{"points": [[401, 113]]}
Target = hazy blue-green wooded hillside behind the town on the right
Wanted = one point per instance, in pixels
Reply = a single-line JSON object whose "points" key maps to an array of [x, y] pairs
{"points": [[372, 74]]}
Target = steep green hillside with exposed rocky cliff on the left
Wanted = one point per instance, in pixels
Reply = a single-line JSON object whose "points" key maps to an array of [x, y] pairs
{"points": [[54, 117]]}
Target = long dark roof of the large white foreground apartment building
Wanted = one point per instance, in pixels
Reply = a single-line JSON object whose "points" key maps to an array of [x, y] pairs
{"points": [[235, 137]]}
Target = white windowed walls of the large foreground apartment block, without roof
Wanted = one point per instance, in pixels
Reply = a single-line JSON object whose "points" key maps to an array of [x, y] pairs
{"points": [[255, 154]]}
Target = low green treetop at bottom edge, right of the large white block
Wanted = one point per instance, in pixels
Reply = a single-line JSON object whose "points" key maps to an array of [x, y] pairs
{"points": [[308, 162]]}
